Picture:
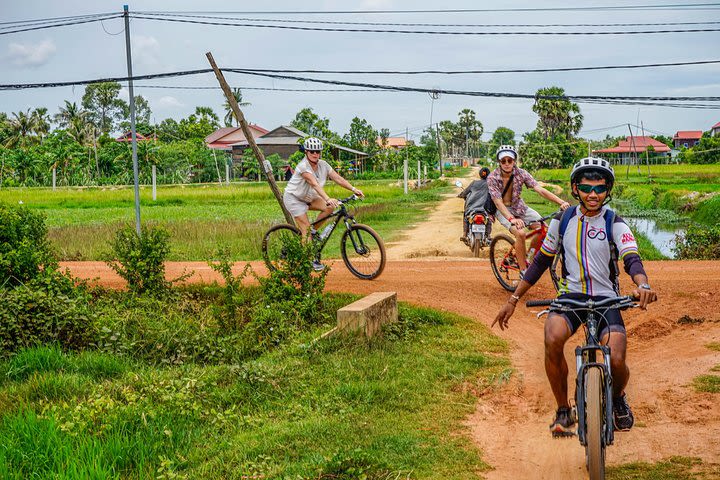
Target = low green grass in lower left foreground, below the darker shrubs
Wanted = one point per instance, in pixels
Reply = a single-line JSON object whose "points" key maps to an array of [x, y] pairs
{"points": [[338, 408]]}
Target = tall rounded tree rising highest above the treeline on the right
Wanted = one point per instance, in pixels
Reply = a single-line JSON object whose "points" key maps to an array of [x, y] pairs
{"points": [[558, 116]]}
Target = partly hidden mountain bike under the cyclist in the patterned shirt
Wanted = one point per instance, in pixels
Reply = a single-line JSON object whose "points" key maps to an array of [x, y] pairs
{"points": [[504, 261]]}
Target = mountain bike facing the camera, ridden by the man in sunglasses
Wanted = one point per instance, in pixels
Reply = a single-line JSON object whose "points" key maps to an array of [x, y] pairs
{"points": [[593, 385]]}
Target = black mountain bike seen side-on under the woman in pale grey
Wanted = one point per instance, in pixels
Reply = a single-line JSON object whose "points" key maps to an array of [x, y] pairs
{"points": [[362, 249]]}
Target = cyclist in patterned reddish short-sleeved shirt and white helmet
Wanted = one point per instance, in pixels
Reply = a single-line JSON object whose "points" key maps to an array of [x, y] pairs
{"points": [[505, 185]]}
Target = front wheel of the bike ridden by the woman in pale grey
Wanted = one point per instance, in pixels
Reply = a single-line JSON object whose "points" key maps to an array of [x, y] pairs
{"points": [[363, 252]]}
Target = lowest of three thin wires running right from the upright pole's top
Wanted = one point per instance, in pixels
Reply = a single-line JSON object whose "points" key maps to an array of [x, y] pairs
{"points": [[424, 32]]}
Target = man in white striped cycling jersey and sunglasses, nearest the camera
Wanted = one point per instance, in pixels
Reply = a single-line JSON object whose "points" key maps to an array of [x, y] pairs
{"points": [[588, 272]]}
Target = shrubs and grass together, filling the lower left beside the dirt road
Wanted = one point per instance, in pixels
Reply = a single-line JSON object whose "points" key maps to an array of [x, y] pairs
{"points": [[224, 381]]}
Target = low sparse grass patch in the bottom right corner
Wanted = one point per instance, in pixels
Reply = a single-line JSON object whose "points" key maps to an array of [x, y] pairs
{"points": [[674, 468]]}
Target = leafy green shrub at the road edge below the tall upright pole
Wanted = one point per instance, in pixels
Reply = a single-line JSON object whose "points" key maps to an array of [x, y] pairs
{"points": [[139, 260]]}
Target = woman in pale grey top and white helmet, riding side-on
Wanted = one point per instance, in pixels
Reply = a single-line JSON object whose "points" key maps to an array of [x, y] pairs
{"points": [[305, 190]]}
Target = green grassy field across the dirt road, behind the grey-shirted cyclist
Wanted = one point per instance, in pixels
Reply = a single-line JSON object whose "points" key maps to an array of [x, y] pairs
{"points": [[201, 218]]}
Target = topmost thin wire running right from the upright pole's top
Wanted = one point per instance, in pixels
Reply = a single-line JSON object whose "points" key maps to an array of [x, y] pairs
{"points": [[675, 6]]}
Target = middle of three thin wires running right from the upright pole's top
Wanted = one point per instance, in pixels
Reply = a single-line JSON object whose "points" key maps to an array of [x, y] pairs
{"points": [[477, 25]]}
